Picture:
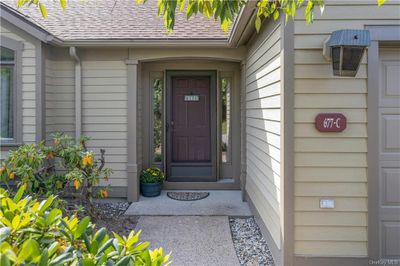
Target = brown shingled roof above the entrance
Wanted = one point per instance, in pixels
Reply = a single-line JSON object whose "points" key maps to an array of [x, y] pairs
{"points": [[116, 20]]}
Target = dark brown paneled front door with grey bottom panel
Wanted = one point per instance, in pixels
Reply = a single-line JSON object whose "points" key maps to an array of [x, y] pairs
{"points": [[190, 155]]}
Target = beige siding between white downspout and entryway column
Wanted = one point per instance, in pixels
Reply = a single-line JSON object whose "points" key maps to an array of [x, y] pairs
{"points": [[104, 113]]}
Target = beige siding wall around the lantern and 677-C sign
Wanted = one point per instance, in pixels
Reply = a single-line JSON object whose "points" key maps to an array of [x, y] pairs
{"points": [[332, 165]]}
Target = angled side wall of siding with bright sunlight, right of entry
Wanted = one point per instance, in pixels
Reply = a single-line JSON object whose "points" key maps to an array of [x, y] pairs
{"points": [[263, 126]]}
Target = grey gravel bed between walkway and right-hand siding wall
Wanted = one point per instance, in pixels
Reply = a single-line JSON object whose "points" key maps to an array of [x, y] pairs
{"points": [[250, 246]]}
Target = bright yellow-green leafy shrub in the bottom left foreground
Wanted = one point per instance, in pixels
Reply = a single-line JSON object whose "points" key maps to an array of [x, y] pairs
{"points": [[35, 233]]}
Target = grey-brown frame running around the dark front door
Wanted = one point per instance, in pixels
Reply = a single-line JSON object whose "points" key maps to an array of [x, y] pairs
{"points": [[213, 120]]}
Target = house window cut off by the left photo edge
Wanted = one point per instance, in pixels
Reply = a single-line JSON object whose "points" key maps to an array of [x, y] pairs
{"points": [[7, 94]]}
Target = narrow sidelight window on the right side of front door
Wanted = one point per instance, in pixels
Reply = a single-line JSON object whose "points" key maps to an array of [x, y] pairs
{"points": [[226, 120]]}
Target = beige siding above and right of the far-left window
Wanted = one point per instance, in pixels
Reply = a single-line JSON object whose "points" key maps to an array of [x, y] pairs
{"points": [[28, 84]]}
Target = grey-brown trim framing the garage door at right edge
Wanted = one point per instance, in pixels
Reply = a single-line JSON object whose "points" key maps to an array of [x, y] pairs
{"points": [[380, 34]]}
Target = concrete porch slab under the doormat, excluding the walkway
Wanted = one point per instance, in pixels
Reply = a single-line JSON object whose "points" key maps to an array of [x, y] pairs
{"points": [[218, 203]]}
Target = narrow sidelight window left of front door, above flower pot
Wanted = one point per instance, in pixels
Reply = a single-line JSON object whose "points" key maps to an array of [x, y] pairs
{"points": [[157, 96]]}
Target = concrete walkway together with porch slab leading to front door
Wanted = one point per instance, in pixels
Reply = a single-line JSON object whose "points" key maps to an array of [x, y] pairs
{"points": [[197, 232]]}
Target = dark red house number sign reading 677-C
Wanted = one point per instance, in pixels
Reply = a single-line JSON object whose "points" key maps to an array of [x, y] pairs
{"points": [[330, 122]]}
